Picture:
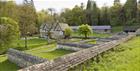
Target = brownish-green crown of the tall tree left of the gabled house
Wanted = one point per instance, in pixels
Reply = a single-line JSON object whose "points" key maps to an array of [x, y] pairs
{"points": [[27, 20]]}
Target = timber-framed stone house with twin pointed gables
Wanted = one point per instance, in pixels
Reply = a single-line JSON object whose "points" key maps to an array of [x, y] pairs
{"points": [[56, 30]]}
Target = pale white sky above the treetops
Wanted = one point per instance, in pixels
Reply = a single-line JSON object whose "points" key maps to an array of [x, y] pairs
{"points": [[61, 4]]}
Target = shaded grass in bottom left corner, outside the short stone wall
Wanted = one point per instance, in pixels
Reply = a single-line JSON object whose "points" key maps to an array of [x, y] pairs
{"points": [[6, 65]]}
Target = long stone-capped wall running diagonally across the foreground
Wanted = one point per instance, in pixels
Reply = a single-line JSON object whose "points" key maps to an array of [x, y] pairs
{"points": [[65, 62]]}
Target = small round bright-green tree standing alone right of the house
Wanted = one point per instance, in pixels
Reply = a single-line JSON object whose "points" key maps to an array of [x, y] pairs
{"points": [[85, 30]]}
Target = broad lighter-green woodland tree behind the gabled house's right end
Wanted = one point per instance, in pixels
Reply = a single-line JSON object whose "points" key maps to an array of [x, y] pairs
{"points": [[74, 17]]}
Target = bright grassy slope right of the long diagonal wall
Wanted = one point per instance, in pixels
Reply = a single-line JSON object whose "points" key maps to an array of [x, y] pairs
{"points": [[126, 57]]}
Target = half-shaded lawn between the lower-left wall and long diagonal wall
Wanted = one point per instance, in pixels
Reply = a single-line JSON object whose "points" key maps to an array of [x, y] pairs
{"points": [[49, 52]]}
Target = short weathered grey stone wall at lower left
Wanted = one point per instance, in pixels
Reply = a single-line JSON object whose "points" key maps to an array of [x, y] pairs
{"points": [[22, 59]]}
